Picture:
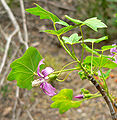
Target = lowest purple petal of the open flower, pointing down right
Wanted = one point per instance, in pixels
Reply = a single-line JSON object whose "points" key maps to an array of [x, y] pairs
{"points": [[48, 89]]}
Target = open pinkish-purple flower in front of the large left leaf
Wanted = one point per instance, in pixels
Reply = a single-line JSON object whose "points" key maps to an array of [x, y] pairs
{"points": [[45, 86]]}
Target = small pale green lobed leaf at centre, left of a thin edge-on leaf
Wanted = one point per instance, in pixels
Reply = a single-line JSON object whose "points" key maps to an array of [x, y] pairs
{"points": [[73, 39]]}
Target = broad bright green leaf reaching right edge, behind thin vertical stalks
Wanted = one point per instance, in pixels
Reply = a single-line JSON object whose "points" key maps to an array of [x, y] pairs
{"points": [[101, 62]]}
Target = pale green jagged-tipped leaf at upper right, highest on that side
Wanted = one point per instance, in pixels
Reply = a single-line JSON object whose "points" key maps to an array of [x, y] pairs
{"points": [[94, 23]]}
